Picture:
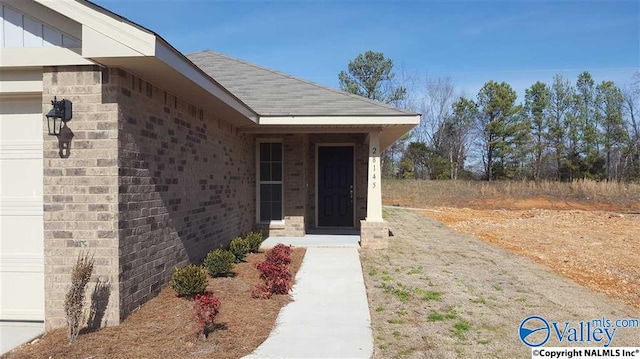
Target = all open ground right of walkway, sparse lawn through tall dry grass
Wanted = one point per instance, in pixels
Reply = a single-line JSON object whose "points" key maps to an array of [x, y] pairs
{"points": [[438, 293]]}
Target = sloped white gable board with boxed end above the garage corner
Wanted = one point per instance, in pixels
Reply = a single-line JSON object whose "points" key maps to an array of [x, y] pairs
{"points": [[138, 40]]}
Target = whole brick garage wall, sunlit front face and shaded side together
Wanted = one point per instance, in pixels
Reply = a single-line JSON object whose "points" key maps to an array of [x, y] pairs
{"points": [[151, 182]]}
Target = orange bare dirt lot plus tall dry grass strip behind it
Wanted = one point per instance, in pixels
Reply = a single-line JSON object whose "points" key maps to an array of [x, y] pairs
{"points": [[587, 231]]}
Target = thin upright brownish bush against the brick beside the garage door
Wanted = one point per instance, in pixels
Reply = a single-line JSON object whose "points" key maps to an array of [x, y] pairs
{"points": [[74, 301]]}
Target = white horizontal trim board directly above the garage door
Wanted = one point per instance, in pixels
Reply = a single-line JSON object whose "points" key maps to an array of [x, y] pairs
{"points": [[40, 56]]}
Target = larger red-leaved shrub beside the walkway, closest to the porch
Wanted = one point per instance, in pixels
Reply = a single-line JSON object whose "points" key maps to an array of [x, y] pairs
{"points": [[275, 272]]}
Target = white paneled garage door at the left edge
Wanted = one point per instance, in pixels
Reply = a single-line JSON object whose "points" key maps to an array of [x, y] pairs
{"points": [[21, 226]]}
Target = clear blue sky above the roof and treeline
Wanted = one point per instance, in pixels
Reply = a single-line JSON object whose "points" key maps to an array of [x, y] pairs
{"points": [[519, 42]]}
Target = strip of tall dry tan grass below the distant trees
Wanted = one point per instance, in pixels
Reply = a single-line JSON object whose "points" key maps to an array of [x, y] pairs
{"points": [[497, 194]]}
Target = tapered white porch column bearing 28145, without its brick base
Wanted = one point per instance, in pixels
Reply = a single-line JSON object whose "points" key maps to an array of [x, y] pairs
{"points": [[374, 185]]}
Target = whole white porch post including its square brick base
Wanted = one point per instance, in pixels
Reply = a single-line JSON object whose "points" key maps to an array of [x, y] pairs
{"points": [[374, 231]]}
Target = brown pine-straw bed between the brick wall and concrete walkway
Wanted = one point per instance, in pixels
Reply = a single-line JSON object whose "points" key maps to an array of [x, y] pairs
{"points": [[165, 326]]}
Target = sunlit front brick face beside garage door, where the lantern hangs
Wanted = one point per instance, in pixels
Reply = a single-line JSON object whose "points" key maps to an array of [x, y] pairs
{"points": [[81, 192]]}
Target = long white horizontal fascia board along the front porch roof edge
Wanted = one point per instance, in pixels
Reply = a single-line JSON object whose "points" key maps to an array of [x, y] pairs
{"points": [[339, 120]]}
